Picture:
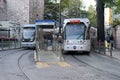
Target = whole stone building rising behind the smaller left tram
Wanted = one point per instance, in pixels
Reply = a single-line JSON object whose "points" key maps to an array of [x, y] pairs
{"points": [[22, 11]]}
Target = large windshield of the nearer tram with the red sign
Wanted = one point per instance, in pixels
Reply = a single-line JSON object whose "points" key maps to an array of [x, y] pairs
{"points": [[74, 31]]}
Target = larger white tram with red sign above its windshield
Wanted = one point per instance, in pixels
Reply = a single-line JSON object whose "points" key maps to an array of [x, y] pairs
{"points": [[76, 35]]}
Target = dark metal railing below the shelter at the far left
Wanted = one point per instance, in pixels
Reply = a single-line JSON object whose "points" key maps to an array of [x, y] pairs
{"points": [[9, 43]]}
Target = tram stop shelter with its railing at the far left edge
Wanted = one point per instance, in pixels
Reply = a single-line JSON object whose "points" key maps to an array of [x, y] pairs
{"points": [[10, 36]]}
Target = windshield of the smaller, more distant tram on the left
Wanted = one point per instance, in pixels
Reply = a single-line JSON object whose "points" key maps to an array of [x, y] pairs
{"points": [[28, 34]]}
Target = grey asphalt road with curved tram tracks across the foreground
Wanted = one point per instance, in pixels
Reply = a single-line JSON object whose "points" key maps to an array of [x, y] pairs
{"points": [[19, 65]]}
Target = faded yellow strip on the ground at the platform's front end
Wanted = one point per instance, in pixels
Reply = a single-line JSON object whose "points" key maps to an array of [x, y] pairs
{"points": [[47, 64]]}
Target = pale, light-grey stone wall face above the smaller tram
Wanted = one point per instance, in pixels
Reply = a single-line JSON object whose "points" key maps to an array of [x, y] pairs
{"points": [[18, 11]]}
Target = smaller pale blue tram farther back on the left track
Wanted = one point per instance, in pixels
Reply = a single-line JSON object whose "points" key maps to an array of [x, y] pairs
{"points": [[28, 36]]}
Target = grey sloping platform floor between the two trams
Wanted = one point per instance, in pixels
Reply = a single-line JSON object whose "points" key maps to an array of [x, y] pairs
{"points": [[48, 55]]}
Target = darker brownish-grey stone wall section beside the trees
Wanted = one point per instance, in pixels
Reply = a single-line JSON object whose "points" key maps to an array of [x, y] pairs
{"points": [[36, 10]]}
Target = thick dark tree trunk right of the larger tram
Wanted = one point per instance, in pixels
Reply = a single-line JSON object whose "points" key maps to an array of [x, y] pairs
{"points": [[100, 21]]}
